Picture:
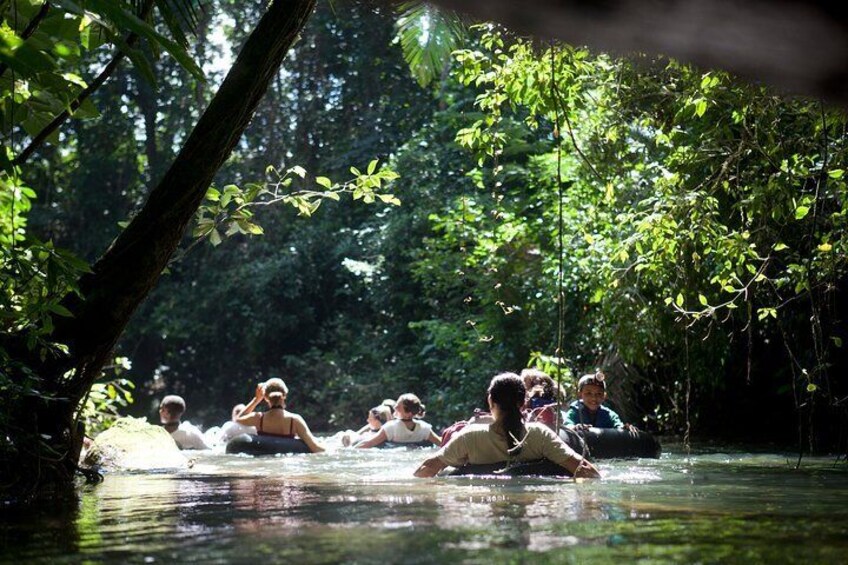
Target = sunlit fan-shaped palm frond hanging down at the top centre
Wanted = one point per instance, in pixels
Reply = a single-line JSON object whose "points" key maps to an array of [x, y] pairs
{"points": [[427, 36]]}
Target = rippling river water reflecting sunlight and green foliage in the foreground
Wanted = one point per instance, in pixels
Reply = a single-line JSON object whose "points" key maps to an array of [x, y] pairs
{"points": [[364, 506]]}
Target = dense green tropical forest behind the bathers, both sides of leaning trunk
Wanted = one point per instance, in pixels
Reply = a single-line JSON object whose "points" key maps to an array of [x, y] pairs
{"points": [[418, 204]]}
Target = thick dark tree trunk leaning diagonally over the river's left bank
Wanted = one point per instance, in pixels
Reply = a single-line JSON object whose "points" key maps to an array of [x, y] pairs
{"points": [[129, 269]]}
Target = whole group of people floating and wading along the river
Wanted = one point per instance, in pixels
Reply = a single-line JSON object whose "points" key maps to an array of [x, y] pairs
{"points": [[519, 425]]}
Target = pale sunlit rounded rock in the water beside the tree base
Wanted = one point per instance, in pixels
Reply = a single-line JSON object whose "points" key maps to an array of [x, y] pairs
{"points": [[133, 444]]}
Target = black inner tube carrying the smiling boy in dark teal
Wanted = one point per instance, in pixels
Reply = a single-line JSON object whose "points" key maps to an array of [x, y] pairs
{"points": [[612, 443]]}
